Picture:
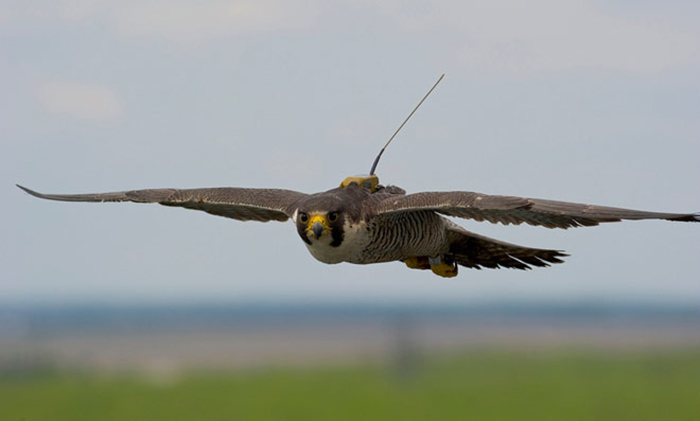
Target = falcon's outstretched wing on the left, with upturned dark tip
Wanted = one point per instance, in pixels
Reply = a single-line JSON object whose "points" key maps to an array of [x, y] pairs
{"points": [[237, 203]]}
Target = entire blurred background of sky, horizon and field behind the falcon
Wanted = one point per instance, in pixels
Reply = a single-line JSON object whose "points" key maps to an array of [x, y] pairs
{"points": [[122, 311]]}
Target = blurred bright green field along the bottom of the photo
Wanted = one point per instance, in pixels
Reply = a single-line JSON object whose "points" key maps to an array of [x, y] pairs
{"points": [[480, 386]]}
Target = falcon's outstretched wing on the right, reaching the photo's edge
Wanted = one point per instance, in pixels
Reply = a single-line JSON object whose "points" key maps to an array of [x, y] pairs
{"points": [[517, 210]]}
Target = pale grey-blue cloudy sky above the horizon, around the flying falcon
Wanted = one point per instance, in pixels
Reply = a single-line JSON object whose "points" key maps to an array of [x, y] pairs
{"points": [[586, 101]]}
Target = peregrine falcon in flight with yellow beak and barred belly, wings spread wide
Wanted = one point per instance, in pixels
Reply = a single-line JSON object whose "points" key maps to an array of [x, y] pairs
{"points": [[364, 222]]}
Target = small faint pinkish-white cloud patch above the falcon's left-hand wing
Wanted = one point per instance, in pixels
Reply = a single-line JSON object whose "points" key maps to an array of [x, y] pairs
{"points": [[80, 100]]}
